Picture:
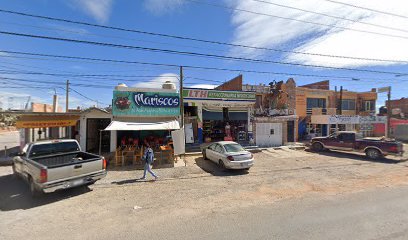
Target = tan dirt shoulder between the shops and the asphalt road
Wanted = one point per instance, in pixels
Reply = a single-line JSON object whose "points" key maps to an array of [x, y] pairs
{"points": [[120, 201]]}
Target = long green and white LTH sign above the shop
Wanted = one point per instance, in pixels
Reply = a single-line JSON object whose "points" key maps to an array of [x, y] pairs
{"points": [[217, 95]]}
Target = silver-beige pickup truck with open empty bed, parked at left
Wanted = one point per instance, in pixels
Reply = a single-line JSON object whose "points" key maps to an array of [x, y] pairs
{"points": [[53, 165]]}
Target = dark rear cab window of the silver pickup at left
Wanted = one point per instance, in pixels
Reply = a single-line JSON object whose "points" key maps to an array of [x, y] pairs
{"points": [[53, 148]]}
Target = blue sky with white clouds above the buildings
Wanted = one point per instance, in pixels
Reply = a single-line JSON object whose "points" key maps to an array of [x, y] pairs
{"points": [[363, 47]]}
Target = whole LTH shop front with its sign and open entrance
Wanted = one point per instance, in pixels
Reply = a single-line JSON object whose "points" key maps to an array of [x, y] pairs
{"points": [[212, 115]]}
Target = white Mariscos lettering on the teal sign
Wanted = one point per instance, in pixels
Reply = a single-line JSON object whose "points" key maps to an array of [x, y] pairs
{"points": [[142, 99]]}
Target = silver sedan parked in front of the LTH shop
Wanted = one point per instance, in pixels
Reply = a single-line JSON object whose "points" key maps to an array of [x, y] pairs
{"points": [[228, 155]]}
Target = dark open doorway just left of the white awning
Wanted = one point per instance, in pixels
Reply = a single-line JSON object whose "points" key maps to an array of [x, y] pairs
{"points": [[93, 131]]}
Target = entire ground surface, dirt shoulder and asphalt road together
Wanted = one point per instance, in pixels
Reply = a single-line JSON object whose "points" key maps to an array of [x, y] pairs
{"points": [[286, 195]]}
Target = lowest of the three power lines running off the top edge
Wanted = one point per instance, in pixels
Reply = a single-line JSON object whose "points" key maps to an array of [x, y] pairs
{"points": [[296, 20]]}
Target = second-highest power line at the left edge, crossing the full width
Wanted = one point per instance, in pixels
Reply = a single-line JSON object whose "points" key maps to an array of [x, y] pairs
{"points": [[190, 53]]}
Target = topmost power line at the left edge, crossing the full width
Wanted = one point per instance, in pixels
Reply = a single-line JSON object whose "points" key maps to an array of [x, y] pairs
{"points": [[191, 38]]}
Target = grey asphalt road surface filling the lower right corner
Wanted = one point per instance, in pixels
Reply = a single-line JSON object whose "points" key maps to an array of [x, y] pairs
{"points": [[380, 214]]}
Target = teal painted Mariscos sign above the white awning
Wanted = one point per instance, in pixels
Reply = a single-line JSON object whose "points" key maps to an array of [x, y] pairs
{"points": [[127, 103]]}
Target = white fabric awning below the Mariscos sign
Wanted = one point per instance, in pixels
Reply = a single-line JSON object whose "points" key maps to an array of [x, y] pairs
{"points": [[133, 126]]}
